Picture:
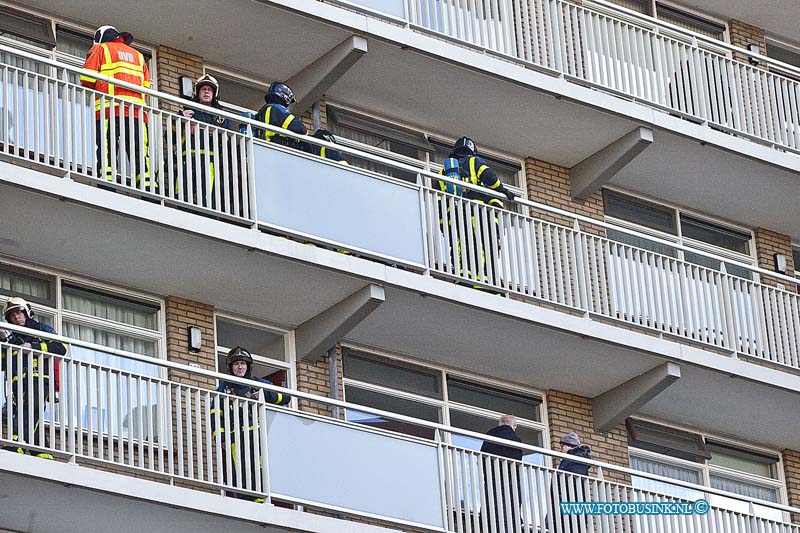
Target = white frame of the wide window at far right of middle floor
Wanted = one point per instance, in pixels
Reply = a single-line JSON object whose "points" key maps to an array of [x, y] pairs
{"points": [[678, 238]]}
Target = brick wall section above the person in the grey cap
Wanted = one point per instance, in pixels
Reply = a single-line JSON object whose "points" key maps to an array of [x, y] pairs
{"points": [[570, 412]]}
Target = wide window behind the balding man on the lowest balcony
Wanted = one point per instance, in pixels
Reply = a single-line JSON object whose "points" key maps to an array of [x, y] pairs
{"points": [[436, 396]]}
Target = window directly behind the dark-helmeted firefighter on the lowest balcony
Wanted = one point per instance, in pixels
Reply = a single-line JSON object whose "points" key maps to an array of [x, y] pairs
{"points": [[268, 347]]}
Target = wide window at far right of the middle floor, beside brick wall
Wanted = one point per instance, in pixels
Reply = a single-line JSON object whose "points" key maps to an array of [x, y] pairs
{"points": [[675, 225]]}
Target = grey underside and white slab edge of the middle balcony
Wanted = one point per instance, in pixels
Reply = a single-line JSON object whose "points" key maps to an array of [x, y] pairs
{"points": [[516, 342]]}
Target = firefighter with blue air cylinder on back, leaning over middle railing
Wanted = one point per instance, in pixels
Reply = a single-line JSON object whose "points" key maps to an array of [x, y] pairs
{"points": [[463, 163]]}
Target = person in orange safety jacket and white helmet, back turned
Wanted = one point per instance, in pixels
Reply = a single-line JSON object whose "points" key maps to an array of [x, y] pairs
{"points": [[112, 55]]}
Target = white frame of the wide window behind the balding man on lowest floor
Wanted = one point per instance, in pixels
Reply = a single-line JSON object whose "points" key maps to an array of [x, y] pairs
{"points": [[445, 404]]}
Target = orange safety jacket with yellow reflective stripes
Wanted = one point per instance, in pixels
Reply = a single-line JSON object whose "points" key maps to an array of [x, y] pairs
{"points": [[119, 61]]}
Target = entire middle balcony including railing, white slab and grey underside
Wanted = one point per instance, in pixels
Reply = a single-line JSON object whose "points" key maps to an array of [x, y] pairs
{"points": [[186, 239]]}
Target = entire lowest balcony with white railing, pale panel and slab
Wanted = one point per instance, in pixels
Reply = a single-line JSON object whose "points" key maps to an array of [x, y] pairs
{"points": [[183, 463]]}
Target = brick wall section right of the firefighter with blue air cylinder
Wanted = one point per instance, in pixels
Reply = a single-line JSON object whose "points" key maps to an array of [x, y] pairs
{"points": [[550, 184]]}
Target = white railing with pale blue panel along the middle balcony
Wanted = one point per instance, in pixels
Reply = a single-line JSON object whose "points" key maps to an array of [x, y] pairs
{"points": [[51, 121]]}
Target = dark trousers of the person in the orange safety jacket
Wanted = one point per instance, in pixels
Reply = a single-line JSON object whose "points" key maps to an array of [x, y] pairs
{"points": [[132, 154]]}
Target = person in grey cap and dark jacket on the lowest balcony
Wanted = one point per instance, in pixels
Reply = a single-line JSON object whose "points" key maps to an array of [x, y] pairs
{"points": [[570, 489]]}
